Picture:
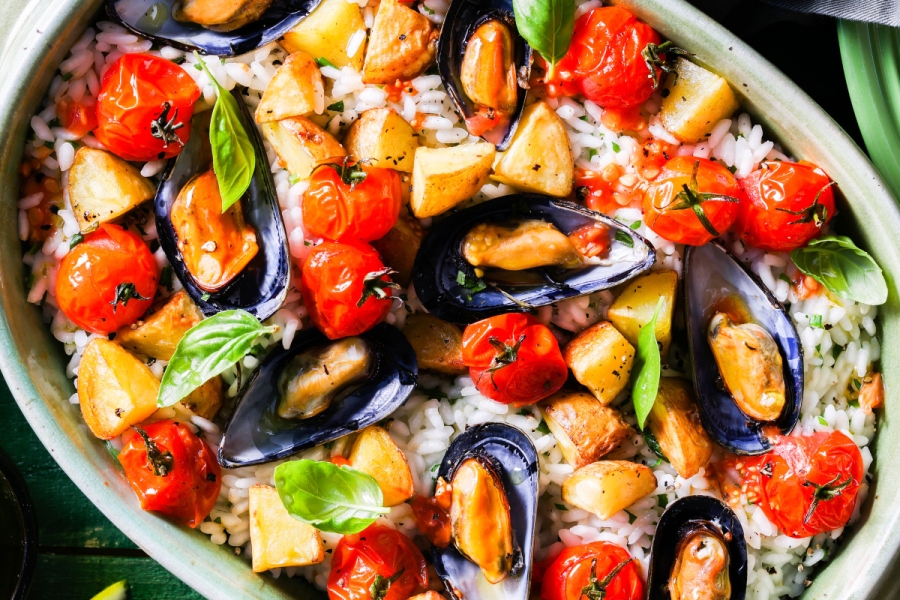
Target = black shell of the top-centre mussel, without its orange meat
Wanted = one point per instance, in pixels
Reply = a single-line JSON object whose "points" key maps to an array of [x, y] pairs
{"points": [[463, 18]]}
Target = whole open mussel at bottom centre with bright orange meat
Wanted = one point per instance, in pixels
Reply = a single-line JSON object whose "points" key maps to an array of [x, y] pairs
{"points": [[492, 473]]}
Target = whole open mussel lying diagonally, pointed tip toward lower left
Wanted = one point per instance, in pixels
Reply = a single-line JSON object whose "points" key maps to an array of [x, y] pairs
{"points": [[317, 391]]}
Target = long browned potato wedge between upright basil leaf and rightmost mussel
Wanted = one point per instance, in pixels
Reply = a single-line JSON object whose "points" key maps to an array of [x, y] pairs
{"points": [[674, 421]]}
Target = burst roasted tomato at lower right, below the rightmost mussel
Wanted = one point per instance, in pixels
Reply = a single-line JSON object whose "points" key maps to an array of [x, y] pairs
{"points": [[808, 483]]}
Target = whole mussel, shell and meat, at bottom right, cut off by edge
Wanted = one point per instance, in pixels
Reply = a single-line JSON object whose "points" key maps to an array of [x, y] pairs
{"points": [[699, 551]]}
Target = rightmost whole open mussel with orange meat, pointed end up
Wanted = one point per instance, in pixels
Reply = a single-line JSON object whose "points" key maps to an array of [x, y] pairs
{"points": [[746, 352]]}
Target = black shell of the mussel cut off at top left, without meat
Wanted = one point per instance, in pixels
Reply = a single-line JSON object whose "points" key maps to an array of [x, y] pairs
{"points": [[153, 19]]}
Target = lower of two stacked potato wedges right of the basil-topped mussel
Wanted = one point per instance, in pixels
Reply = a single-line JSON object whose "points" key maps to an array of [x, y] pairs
{"points": [[302, 145]]}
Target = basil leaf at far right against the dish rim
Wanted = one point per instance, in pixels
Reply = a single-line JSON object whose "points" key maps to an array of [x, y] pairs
{"points": [[836, 262]]}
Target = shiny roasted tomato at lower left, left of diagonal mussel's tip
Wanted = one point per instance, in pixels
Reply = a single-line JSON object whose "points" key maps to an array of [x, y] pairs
{"points": [[172, 470]]}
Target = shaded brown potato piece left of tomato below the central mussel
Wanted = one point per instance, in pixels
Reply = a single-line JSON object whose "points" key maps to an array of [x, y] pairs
{"points": [[438, 344]]}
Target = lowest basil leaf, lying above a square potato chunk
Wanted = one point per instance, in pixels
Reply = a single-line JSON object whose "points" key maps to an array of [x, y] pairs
{"points": [[330, 498]]}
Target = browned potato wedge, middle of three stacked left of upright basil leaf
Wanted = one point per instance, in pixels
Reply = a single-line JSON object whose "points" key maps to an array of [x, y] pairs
{"points": [[585, 429]]}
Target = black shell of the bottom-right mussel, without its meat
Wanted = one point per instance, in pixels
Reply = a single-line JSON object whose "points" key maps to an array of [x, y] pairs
{"points": [[684, 517]]}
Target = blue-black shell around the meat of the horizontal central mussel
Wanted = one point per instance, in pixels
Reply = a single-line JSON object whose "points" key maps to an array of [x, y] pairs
{"points": [[439, 261]]}
